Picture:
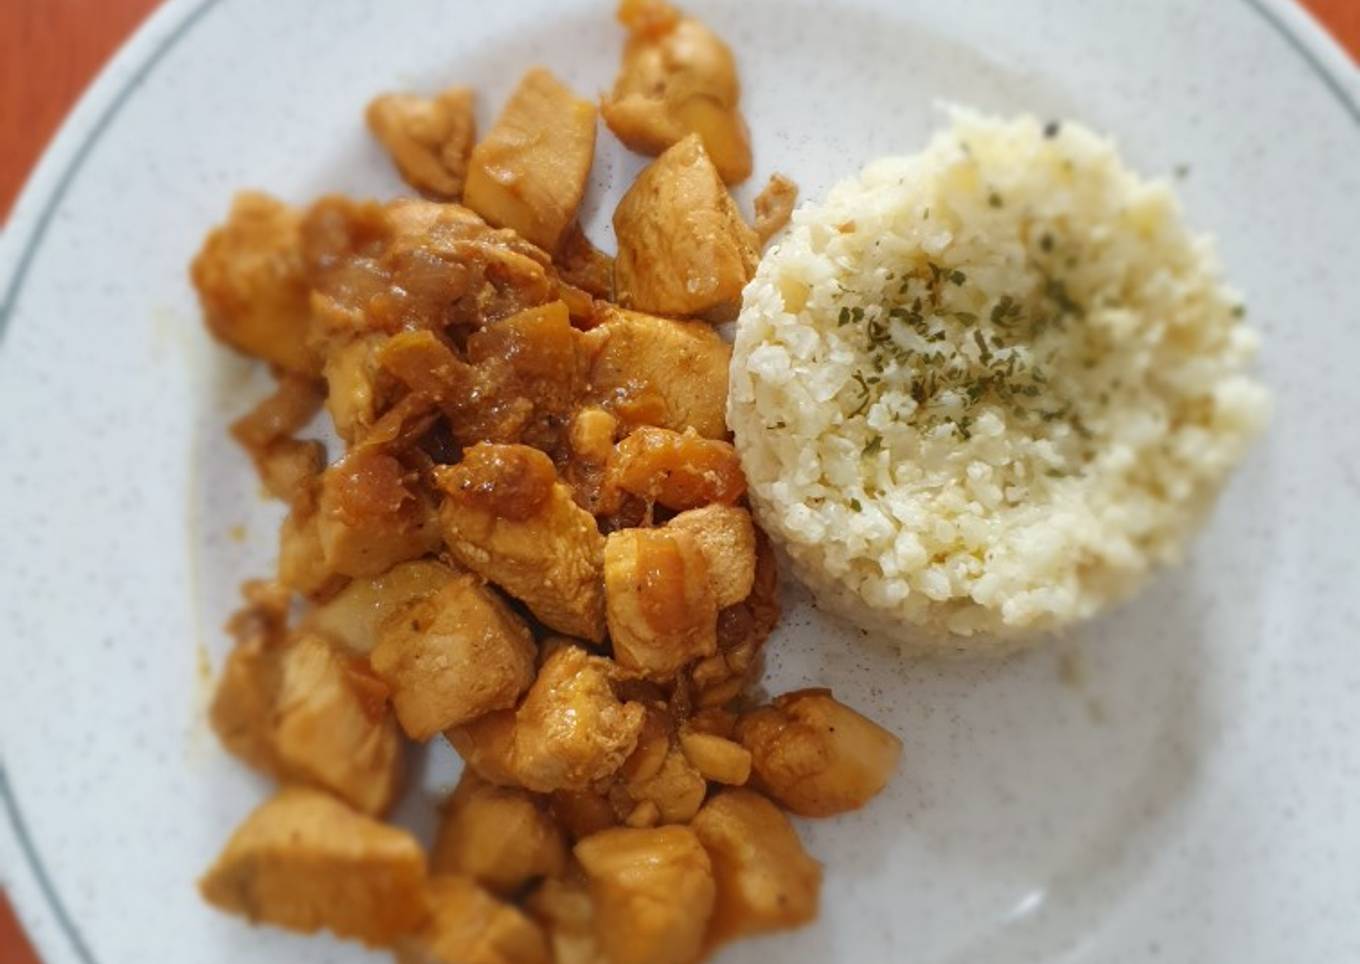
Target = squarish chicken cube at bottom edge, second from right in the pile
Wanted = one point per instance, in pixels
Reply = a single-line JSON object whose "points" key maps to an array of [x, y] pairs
{"points": [[653, 894]]}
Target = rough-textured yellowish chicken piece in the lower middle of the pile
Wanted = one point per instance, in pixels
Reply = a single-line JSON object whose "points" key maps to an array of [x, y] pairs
{"points": [[572, 729]]}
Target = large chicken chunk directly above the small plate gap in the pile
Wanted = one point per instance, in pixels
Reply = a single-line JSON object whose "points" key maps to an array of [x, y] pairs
{"points": [[454, 656]]}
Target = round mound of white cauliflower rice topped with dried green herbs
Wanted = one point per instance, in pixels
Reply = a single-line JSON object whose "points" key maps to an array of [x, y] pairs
{"points": [[984, 391]]}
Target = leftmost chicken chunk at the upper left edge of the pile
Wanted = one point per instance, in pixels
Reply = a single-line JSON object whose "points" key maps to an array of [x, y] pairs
{"points": [[252, 286]]}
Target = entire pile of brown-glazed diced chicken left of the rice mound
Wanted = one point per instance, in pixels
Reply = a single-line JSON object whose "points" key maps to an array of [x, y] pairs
{"points": [[535, 542]]}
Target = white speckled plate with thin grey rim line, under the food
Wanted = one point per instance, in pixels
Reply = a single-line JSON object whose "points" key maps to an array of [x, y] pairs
{"points": [[1174, 782]]}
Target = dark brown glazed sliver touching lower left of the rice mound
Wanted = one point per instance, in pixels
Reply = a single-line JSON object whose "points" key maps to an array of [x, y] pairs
{"points": [[743, 630]]}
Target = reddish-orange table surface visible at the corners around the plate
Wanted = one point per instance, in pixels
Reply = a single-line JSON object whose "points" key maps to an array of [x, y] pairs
{"points": [[50, 51]]}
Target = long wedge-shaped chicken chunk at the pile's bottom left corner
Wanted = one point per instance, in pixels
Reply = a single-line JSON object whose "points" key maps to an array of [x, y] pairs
{"points": [[307, 861]]}
